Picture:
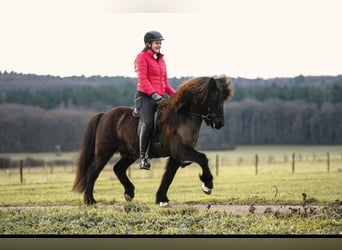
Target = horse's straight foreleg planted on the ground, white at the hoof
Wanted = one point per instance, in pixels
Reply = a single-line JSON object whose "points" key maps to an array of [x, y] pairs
{"points": [[170, 172]]}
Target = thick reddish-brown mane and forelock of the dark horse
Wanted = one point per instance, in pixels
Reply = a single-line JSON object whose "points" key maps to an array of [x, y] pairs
{"points": [[192, 92]]}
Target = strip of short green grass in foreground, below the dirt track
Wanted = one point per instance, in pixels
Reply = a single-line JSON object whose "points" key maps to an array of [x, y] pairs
{"points": [[144, 219]]}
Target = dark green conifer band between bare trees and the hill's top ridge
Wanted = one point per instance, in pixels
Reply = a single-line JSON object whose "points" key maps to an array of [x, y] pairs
{"points": [[103, 97]]}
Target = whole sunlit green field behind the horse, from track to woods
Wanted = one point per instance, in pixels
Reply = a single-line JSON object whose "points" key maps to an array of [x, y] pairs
{"points": [[236, 182]]}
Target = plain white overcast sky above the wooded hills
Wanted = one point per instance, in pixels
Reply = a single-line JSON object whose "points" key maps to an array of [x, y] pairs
{"points": [[246, 38]]}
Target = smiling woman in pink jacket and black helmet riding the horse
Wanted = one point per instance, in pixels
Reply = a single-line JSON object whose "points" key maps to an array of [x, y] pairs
{"points": [[152, 88]]}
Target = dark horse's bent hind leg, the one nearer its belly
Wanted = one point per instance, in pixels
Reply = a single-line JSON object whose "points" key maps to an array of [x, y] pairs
{"points": [[120, 169]]}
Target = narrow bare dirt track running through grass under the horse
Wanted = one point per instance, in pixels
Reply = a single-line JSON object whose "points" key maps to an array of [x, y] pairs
{"points": [[235, 209]]}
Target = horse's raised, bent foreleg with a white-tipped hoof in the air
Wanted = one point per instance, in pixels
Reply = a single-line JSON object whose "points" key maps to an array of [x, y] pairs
{"points": [[187, 153]]}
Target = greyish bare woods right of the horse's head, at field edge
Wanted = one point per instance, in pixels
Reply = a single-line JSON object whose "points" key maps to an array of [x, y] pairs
{"points": [[253, 122]]}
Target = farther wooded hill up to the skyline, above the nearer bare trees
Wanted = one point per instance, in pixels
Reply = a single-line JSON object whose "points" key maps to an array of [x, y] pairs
{"points": [[102, 93]]}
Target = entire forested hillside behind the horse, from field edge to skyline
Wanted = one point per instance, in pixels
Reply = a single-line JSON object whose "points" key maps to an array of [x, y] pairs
{"points": [[37, 113]]}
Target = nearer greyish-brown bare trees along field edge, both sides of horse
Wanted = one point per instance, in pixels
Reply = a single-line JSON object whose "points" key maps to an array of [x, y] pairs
{"points": [[249, 122]]}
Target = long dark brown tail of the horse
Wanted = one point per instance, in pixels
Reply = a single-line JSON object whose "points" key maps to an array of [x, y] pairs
{"points": [[87, 154]]}
